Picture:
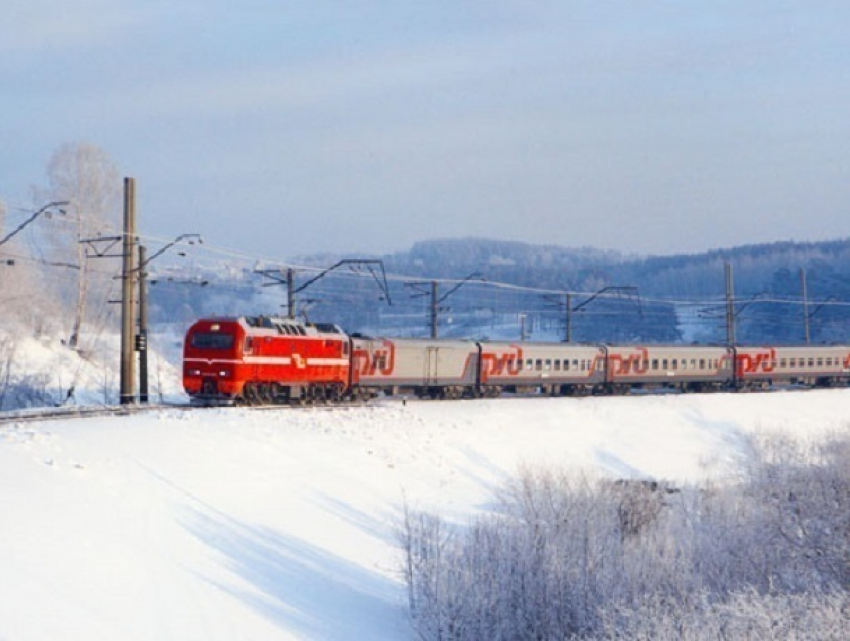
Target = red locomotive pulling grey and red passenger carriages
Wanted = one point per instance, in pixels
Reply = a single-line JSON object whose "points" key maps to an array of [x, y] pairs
{"points": [[263, 360]]}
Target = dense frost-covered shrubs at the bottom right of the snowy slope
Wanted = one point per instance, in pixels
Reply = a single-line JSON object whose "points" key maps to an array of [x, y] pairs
{"points": [[569, 556]]}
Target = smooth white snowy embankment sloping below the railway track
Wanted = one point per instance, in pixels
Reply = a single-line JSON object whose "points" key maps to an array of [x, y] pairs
{"points": [[234, 524]]}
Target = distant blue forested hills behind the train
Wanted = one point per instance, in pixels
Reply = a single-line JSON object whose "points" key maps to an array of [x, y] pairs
{"points": [[646, 298]]}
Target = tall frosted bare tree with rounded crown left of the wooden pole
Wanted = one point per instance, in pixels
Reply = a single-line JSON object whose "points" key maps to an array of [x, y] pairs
{"points": [[85, 175]]}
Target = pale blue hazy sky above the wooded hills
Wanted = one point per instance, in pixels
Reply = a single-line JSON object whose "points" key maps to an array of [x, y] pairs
{"points": [[288, 128]]}
